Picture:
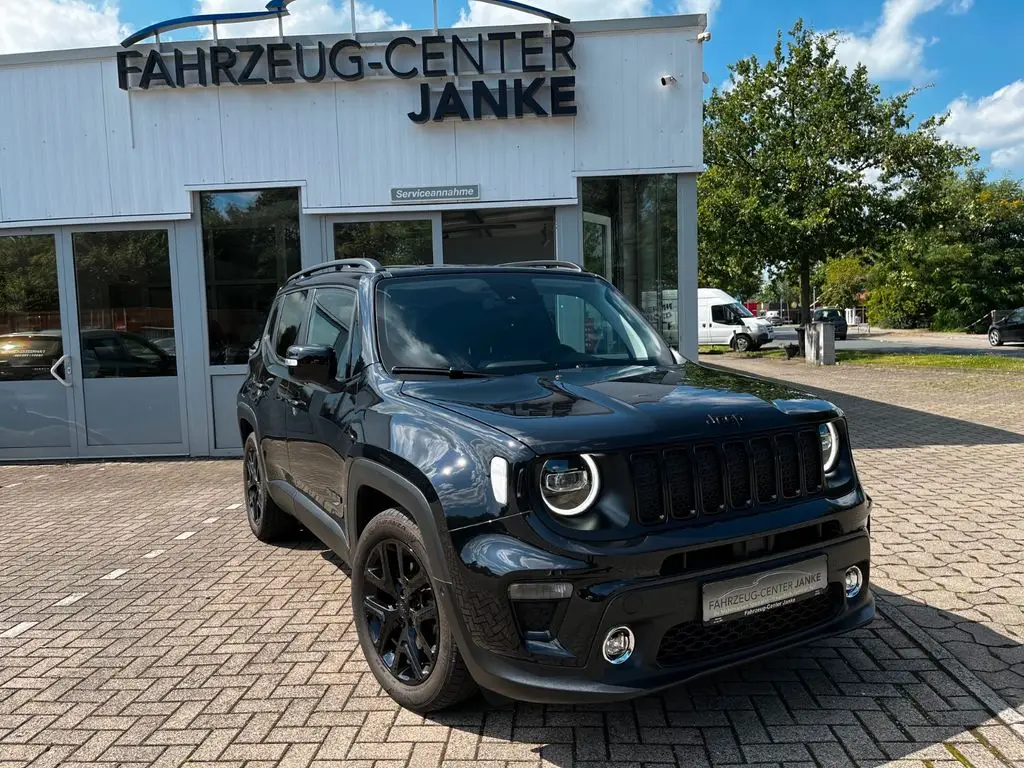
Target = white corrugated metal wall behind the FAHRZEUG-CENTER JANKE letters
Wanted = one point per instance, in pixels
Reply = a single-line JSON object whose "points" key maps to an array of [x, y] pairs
{"points": [[74, 147]]}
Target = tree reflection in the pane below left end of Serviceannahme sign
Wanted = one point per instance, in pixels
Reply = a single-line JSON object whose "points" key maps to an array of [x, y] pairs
{"points": [[389, 242]]}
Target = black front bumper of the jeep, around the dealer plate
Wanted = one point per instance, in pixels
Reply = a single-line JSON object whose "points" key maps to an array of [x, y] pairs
{"points": [[664, 613]]}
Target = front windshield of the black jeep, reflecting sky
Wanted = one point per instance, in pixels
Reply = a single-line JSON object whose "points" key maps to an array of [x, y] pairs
{"points": [[506, 323]]}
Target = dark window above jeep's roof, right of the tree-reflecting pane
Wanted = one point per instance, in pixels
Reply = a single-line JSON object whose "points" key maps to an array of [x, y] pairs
{"points": [[499, 236]]}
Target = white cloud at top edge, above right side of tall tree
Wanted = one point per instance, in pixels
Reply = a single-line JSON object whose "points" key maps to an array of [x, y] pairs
{"points": [[891, 52]]}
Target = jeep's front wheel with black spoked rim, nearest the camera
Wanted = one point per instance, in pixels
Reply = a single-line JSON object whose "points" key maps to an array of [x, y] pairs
{"points": [[394, 599]]}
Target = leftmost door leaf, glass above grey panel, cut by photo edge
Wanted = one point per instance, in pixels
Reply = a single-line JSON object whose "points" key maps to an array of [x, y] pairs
{"points": [[36, 399]]}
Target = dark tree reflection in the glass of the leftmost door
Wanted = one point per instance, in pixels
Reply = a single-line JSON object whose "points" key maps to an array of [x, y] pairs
{"points": [[29, 284]]}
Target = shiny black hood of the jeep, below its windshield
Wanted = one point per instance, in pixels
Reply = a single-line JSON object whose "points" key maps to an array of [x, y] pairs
{"points": [[603, 409]]}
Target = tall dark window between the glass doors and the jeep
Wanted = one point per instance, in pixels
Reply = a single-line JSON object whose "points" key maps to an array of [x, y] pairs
{"points": [[250, 248]]}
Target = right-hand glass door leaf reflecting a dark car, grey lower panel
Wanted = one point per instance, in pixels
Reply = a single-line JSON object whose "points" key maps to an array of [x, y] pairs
{"points": [[124, 347]]}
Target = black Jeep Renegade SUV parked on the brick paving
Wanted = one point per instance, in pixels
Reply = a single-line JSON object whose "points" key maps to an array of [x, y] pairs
{"points": [[535, 493]]}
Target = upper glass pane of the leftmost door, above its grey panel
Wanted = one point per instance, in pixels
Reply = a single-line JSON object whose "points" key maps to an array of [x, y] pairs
{"points": [[30, 310]]}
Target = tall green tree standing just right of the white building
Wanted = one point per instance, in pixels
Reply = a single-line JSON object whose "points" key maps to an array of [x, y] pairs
{"points": [[808, 161]]}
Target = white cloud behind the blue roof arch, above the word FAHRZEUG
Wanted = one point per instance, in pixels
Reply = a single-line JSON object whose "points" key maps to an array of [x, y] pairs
{"points": [[311, 17]]}
